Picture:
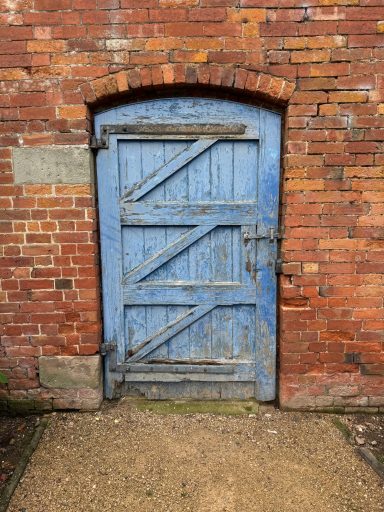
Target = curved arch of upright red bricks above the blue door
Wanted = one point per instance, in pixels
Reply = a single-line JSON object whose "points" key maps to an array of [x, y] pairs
{"points": [[275, 90]]}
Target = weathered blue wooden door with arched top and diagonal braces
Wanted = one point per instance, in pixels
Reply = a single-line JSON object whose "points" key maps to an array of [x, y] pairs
{"points": [[188, 205]]}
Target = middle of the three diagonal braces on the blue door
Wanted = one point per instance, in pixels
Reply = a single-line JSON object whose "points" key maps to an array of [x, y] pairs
{"points": [[166, 254]]}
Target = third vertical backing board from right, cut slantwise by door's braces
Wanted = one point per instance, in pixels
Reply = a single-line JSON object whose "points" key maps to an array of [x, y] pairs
{"points": [[200, 268]]}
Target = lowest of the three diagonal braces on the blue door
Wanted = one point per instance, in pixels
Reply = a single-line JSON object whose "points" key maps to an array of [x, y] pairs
{"points": [[169, 330]]}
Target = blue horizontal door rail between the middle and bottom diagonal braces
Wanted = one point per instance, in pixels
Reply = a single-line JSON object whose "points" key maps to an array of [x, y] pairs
{"points": [[188, 292]]}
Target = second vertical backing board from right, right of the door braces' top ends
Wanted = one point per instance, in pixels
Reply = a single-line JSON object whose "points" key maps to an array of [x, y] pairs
{"points": [[222, 163]]}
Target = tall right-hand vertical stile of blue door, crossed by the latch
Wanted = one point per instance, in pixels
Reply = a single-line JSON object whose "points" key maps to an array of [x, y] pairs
{"points": [[268, 198]]}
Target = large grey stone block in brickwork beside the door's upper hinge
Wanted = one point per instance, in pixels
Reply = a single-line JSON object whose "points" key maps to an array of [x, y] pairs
{"points": [[53, 164]]}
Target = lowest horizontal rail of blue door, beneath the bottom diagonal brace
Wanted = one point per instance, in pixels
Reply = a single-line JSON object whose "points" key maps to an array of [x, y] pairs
{"points": [[233, 373]]}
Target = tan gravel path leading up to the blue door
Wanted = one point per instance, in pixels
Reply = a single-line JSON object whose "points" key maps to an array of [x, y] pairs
{"points": [[123, 459]]}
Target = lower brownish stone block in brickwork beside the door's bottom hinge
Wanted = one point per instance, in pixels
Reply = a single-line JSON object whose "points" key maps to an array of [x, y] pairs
{"points": [[70, 372]]}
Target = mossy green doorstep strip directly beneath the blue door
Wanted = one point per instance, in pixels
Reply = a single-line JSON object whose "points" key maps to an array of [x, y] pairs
{"points": [[227, 408]]}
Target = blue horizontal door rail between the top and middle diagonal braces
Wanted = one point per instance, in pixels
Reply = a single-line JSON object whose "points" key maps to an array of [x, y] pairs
{"points": [[229, 213]]}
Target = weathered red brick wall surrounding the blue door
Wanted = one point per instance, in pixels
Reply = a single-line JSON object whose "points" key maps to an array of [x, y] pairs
{"points": [[54, 55]]}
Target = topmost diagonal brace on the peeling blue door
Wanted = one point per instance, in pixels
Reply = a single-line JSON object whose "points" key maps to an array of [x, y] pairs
{"points": [[166, 170]]}
